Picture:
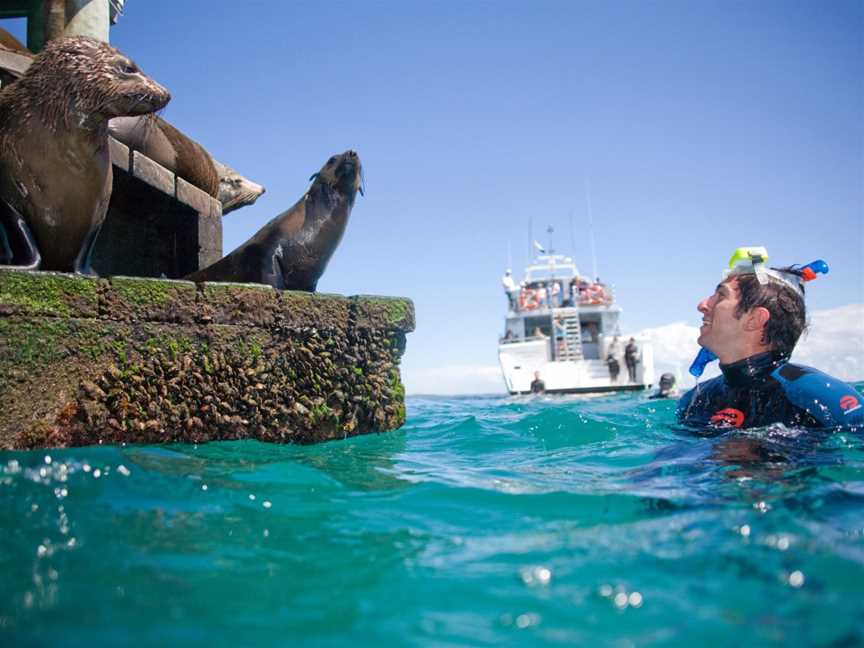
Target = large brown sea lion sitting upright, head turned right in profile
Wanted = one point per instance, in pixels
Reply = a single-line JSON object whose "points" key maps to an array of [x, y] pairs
{"points": [[55, 168]]}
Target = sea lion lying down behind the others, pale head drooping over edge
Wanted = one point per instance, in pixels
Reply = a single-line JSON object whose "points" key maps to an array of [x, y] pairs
{"points": [[177, 152]]}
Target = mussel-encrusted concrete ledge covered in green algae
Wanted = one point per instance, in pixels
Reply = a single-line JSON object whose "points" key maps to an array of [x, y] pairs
{"points": [[132, 360]]}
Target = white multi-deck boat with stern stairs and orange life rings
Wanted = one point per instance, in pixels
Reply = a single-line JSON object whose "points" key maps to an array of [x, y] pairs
{"points": [[565, 328]]}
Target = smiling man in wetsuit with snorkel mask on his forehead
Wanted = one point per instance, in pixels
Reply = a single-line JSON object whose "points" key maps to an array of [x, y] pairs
{"points": [[751, 324]]}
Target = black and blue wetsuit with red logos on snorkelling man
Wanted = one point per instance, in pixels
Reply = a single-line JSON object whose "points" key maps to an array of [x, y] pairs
{"points": [[767, 388]]}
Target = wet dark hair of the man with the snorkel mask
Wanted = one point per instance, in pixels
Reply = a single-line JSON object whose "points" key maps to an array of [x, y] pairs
{"points": [[788, 314]]}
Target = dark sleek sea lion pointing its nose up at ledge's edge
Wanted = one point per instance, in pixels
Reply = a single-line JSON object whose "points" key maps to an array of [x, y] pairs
{"points": [[292, 250]]}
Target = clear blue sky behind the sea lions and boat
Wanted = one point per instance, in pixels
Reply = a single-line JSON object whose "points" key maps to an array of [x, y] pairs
{"points": [[700, 126]]}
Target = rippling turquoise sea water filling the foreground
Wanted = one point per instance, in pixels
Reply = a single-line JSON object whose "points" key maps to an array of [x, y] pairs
{"points": [[484, 521]]}
